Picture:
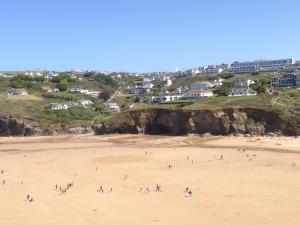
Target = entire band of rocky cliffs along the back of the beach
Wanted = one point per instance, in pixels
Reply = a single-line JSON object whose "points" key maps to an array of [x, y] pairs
{"points": [[165, 122]]}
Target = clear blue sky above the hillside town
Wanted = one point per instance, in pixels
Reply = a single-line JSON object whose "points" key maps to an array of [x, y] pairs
{"points": [[144, 35]]}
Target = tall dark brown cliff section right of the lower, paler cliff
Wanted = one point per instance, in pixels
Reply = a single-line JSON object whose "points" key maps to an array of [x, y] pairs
{"points": [[177, 122]]}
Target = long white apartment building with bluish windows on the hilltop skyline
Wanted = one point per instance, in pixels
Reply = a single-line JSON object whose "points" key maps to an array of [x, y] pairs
{"points": [[261, 65]]}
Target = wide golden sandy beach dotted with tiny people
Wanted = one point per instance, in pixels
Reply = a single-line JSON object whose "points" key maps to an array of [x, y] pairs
{"points": [[112, 180]]}
